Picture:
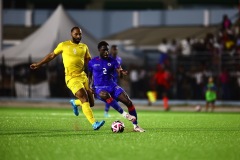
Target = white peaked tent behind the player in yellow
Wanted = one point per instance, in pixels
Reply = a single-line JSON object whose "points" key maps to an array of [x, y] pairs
{"points": [[56, 29]]}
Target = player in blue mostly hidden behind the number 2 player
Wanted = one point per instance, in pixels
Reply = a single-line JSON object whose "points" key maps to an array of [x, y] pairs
{"points": [[114, 55]]}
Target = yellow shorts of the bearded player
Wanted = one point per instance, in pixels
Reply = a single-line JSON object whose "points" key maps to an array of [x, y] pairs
{"points": [[76, 83]]}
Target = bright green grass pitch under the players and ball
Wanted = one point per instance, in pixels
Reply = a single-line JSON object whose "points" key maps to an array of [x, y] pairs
{"points": [[53, 134]]}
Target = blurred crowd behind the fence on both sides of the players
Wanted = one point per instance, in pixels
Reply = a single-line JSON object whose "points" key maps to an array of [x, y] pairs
{"points": [[181, 67]]}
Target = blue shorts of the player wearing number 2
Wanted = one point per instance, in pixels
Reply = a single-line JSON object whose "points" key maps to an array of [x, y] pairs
{"points": [[114, 91]]}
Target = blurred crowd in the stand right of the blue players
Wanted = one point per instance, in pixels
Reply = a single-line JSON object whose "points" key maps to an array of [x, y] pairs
{"points": [[188, 63]]}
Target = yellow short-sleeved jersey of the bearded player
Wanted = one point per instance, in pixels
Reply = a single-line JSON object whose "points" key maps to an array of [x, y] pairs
{"points": [[73, 56]]}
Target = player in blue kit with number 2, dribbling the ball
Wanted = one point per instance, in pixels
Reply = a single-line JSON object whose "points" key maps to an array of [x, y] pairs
{"points": [[100, 73]]}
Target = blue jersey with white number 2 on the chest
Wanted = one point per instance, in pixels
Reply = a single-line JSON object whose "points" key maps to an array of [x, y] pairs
{"points": [[103, 71]]}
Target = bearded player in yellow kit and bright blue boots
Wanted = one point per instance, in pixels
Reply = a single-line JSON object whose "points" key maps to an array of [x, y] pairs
{"points": [[75, 55]]}
